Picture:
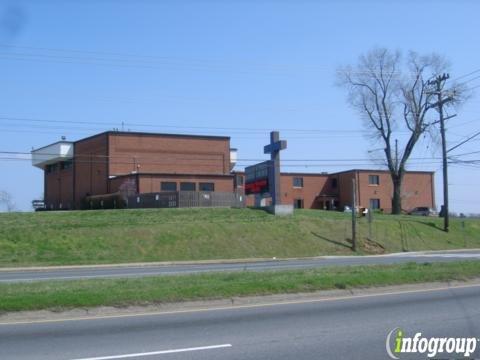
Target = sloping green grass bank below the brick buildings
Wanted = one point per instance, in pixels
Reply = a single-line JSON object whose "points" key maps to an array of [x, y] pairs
{"points": [[144, 235]]}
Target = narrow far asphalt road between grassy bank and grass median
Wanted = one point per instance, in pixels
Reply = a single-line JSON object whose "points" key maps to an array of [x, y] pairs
{"points": [[151, 270]]}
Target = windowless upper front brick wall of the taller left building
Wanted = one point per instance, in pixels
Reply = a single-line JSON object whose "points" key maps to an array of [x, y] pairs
{"points": [[148, 153]]}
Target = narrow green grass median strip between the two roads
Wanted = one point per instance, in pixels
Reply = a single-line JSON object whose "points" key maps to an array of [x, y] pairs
{"points": [[60, 295]]}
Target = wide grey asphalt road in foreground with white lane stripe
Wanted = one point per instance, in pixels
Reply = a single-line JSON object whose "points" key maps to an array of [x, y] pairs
{"points": [[353, 328]]}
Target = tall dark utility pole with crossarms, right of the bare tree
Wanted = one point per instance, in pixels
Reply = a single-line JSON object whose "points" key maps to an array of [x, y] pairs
{"points": [[438, 82]]}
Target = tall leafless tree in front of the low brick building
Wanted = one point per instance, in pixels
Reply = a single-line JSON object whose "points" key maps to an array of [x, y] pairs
{"points": [[391, 96]]}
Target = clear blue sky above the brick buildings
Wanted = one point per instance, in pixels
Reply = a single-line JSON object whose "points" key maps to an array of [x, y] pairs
{"points": [[235, 68]]}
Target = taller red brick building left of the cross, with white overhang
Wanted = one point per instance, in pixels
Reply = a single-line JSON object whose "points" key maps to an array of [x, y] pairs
{"points": [[128, 161]]}
